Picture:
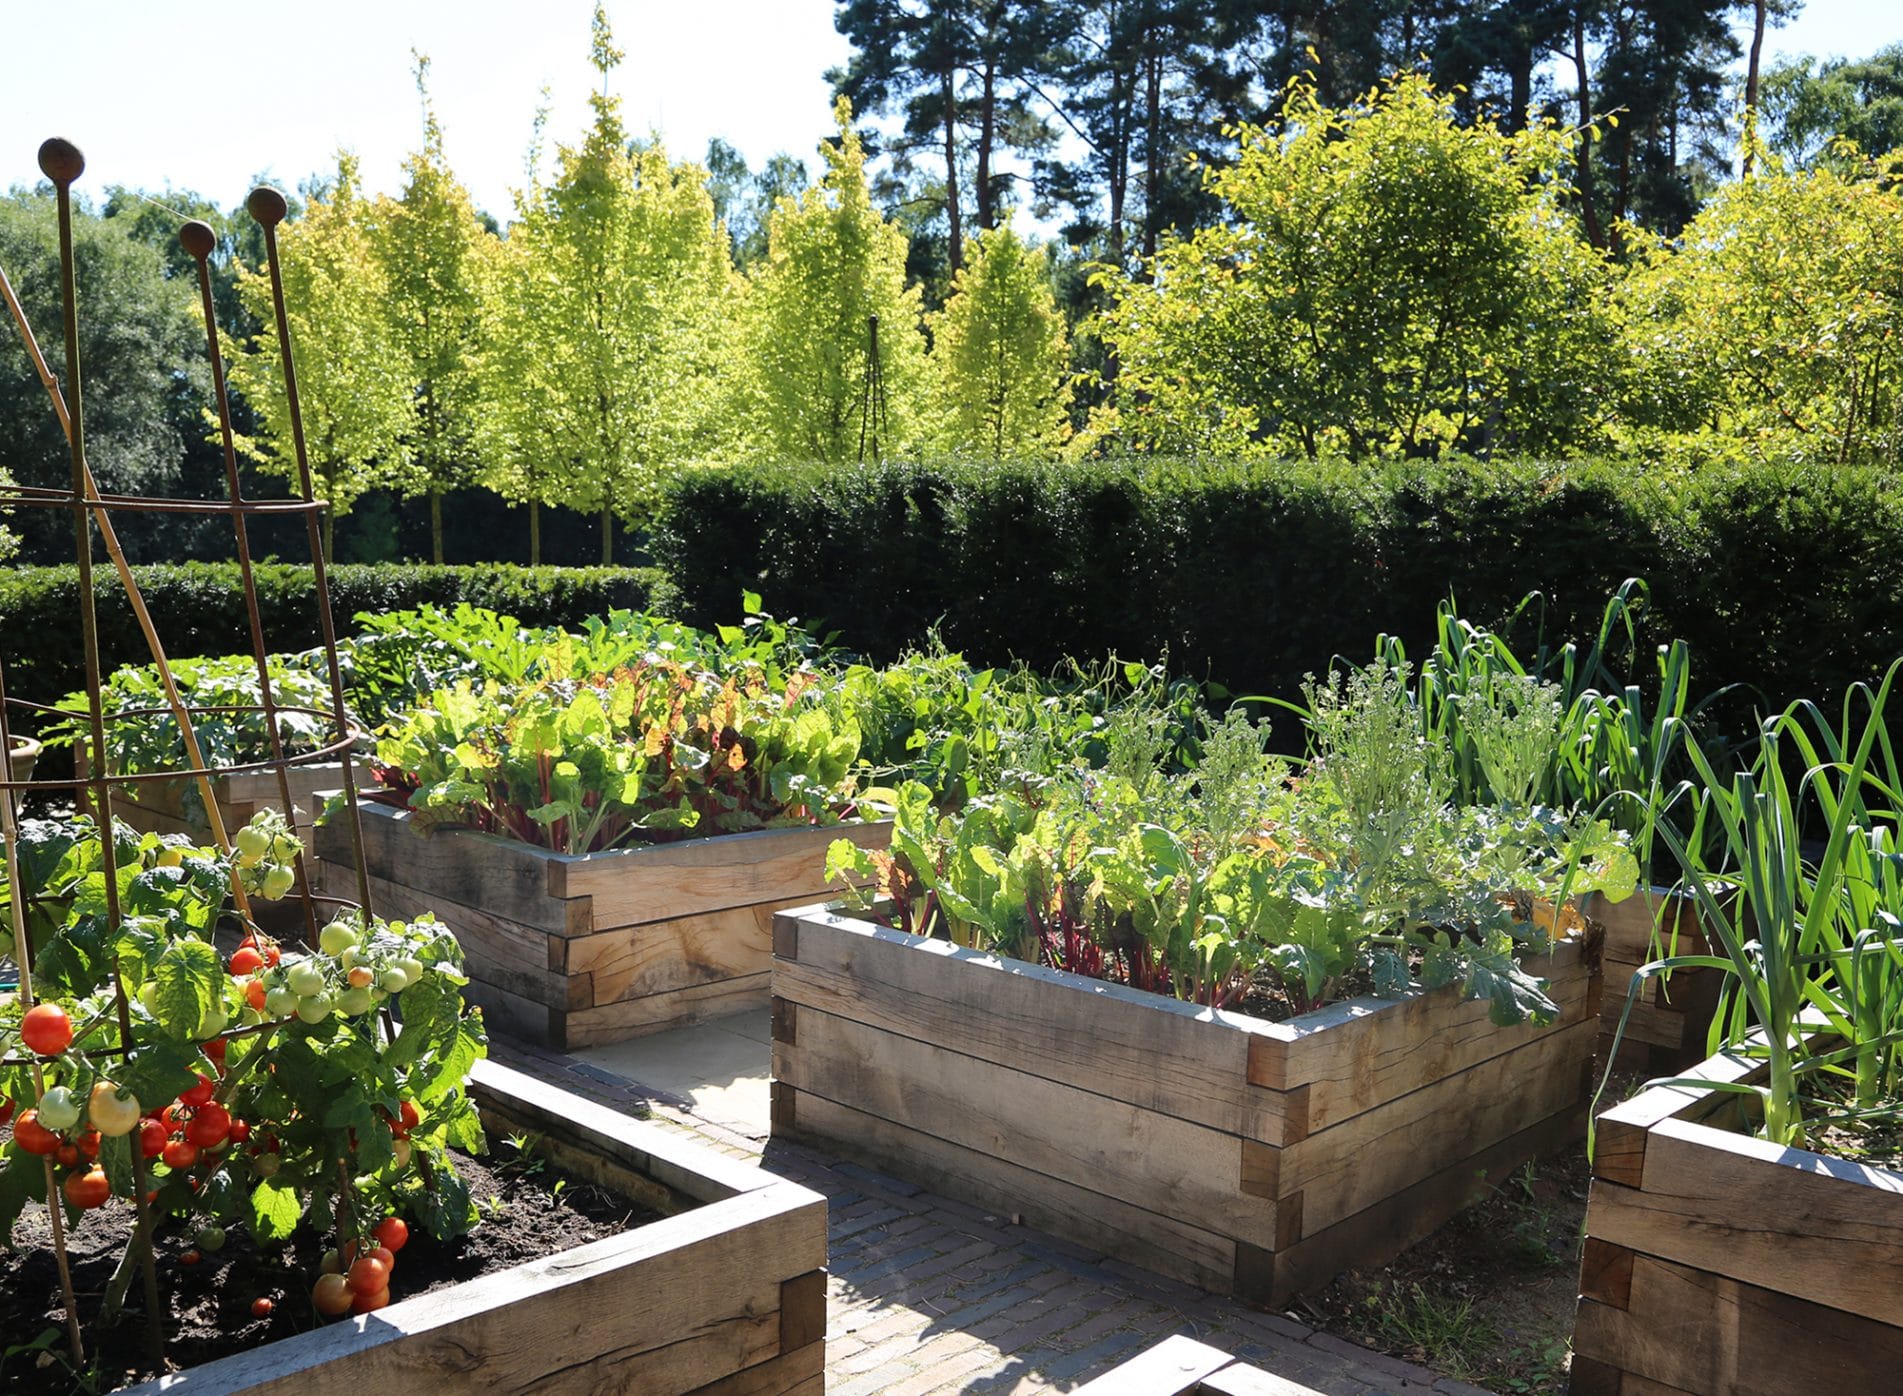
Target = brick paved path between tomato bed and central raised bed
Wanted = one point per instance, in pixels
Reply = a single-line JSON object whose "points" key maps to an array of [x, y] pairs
{"points": [[932, 1296]]}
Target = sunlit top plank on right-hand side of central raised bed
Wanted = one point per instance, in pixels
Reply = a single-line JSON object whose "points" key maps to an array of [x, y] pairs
{"points": [[1363, 1053]]}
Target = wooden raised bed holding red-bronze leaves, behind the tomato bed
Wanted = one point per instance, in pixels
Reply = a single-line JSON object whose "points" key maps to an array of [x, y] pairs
{"points": [[597, 948]]}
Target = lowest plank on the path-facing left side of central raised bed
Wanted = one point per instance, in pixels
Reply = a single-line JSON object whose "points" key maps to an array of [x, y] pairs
{"points": [[1118, 1230]]}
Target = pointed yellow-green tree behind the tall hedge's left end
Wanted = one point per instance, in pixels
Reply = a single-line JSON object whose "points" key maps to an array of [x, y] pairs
{"points": [[833, 263]]}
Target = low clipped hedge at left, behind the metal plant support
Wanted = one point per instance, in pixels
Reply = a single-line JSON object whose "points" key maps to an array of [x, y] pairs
{"points": [[199, 610]]}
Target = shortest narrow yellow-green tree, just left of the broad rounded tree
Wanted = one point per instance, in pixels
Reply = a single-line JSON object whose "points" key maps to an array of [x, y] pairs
{"points": [[1000, 353]]}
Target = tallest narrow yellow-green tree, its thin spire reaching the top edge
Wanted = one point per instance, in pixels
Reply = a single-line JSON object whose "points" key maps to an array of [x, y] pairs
{"points": [[608, 324]]}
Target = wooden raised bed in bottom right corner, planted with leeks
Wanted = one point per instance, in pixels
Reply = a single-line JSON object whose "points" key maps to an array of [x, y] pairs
{"points": [[1721, 1264]]}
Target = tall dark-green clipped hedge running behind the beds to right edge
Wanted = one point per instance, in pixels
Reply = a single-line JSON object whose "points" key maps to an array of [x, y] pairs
{"points": [[1255, 573]]}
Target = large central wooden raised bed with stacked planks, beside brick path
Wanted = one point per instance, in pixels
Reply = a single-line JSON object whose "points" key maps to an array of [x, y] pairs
{"points": [[1247, 1157]]}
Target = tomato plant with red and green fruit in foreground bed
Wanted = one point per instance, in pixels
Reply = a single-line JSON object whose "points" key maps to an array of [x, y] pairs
{"points": [[269, 1091]]}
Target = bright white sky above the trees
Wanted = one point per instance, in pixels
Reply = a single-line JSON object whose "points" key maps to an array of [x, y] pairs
{"points": [[205, 98]]}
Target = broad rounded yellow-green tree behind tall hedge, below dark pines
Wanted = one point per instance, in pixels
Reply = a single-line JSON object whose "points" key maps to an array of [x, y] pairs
{"points": [[1384, 282]]}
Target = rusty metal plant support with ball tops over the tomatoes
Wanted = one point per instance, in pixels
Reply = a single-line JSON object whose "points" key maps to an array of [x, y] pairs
{"points": [[92, 513]]}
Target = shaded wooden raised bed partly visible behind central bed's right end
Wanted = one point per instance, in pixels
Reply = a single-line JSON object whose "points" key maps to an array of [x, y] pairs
{"points": [[1670, 1022]]}
